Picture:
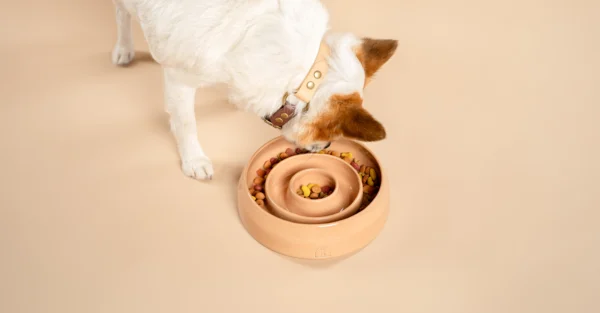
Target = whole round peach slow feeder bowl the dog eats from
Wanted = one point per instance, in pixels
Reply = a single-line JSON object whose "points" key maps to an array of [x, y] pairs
{"points": [[279, 229]]}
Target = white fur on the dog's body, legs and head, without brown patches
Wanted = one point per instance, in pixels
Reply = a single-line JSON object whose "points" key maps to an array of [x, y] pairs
{"points": [[259, 48]]}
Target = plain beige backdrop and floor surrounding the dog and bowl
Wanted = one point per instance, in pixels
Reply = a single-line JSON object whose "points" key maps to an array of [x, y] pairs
{"points": [[492, 110]]}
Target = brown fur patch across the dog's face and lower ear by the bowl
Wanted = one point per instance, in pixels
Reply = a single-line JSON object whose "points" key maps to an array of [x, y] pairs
{"points": [[346, 117]]}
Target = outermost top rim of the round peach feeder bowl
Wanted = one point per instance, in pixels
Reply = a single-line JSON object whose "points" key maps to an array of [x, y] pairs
{"points": [[349, 219]]}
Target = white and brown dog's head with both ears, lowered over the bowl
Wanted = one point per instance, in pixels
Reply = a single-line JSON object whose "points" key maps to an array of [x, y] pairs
{"points": [[336, 110]]}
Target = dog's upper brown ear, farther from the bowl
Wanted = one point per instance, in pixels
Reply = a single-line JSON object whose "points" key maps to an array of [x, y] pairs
{"points": [[374, 53]]}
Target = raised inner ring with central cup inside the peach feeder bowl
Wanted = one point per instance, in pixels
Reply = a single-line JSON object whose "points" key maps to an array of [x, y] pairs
{"points": [[325, 170]]}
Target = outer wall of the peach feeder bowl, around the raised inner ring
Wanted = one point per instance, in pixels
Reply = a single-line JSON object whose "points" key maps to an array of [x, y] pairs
{"points": [[305, 240]]}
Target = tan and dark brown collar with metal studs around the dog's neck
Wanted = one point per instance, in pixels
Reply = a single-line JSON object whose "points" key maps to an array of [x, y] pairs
{"points": [[305, 92]]}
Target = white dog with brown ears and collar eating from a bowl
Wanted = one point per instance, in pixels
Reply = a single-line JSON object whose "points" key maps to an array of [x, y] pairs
{"points": [[277, 58]]}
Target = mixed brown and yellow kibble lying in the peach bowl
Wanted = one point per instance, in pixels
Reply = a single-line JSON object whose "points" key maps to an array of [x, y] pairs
{"points": [[367, 174]]}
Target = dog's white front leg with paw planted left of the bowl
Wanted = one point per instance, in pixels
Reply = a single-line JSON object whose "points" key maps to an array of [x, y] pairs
{"points": [[179, 102]]}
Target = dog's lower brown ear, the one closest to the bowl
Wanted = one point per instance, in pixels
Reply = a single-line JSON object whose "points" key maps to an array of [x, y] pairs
{"points": [[359, 124]]}
